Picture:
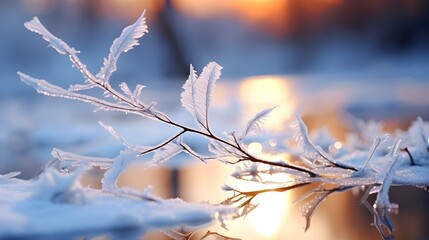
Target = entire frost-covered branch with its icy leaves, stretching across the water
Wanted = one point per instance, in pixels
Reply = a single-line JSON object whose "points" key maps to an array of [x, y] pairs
{"points": [[374, 164]]}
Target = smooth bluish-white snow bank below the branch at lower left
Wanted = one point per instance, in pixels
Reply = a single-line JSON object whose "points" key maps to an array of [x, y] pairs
{"points": [[55, 204]]}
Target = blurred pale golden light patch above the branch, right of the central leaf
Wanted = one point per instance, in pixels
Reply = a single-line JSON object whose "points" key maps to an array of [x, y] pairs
{"points": [[259, 93]]}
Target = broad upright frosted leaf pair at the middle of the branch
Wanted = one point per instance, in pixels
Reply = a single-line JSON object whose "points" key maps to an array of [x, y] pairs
{"points": [[198, 92]]}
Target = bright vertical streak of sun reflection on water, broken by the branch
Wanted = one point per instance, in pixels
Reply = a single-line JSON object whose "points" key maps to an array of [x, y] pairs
{"points": [[256, 94]]}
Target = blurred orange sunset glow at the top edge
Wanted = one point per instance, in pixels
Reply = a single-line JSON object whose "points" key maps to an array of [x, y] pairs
{"points": [[276, 17]]}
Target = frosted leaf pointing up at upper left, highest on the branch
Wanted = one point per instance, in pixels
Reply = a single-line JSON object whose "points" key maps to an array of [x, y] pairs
{"points": [[125, 42]]}
